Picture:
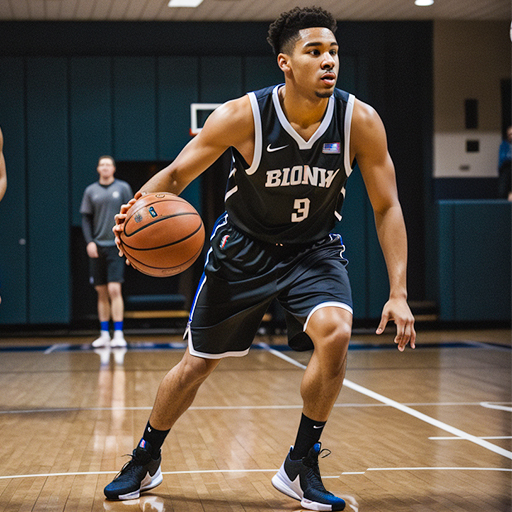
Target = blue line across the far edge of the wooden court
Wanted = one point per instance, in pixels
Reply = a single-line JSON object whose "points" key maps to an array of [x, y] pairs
{"points": [[354, 346]]}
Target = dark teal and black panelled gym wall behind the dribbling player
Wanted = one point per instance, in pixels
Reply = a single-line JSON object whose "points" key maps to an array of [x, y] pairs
{"points": [[70, 92]]}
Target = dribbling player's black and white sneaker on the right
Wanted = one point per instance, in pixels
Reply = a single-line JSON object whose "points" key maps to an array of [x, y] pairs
{"points": [[300, 479]]}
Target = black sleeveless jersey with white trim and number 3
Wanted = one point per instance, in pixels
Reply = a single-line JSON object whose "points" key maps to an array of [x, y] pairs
{"points": [[293, 191]]}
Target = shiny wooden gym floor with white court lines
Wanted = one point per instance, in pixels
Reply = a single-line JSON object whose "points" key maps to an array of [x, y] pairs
{"points": [[426, 430]]}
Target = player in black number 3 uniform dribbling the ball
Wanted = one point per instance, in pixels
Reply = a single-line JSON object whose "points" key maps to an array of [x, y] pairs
{"points": [[293, 147]]}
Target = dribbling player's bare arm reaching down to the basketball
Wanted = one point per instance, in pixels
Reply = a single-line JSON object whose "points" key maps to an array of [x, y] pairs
{"points": [[229, 125]]}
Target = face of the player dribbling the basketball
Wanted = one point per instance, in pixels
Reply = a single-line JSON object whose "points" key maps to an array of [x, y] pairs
{"points": [[314, 61]]}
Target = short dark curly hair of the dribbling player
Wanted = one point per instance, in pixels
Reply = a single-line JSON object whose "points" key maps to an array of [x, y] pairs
{"points": [[283, 33]]}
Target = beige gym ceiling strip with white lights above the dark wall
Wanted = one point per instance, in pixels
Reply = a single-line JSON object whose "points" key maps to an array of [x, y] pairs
{"points": [[248, 10]]}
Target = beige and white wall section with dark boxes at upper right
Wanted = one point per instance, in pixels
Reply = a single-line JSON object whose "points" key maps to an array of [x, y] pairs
{"points": [[471, 61]]}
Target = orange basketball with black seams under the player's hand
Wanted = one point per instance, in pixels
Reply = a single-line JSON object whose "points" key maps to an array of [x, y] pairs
{"points": [[163, 235]]}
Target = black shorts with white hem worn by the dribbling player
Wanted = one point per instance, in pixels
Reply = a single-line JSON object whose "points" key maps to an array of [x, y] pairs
{"points": [[241, 278]]}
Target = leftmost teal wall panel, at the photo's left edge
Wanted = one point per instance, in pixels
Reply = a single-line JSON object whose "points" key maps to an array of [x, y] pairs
{"points": [[13, 215]]}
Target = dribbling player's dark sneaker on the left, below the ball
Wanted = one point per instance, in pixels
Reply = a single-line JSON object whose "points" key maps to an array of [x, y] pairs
{"points": [[139, 474]]}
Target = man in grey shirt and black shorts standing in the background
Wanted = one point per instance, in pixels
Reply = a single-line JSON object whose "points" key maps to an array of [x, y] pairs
{"points": [[100, 203]]}
